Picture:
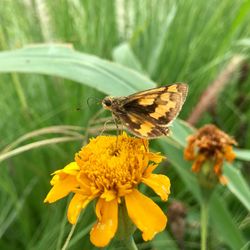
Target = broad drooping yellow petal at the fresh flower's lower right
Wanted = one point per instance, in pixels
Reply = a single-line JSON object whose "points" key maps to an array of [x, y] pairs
{"points": [[145, 214]]}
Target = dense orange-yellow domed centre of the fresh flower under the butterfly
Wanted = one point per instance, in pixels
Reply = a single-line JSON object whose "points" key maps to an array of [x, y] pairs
{"points": [[114, 165]]}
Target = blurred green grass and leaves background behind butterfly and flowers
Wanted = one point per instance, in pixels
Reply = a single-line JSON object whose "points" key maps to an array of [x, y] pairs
{"points": [[162, 40]]}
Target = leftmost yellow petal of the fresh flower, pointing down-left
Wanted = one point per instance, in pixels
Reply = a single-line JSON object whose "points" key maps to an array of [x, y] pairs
{"points": [[61, 189]]}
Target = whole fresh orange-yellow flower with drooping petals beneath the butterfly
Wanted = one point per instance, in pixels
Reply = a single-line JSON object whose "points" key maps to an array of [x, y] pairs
{"points": [[110, 168]]}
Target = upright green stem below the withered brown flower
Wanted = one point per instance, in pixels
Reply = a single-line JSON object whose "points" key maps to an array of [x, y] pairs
{"points": [[204, 224]]}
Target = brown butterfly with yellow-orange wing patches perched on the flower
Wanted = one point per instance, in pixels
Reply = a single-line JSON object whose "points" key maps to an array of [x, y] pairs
{"points": [[149, 113]]}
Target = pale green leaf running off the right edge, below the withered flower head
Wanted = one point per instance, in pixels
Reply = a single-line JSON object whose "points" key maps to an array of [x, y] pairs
{"points": [[237, 184]]}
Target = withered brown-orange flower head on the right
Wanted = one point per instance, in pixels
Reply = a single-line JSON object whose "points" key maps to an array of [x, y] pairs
{"points": [[210, 144]]}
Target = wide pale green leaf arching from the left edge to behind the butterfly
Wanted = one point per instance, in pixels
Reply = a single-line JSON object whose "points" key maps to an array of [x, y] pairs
{"points": [[105, 76]]}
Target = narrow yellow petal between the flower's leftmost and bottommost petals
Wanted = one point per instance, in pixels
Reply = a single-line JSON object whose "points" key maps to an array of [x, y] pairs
{"points": [[77, 203]]}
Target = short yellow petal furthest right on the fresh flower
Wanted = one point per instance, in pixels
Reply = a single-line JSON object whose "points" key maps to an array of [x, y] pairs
{"points": [[159, 183]]}
